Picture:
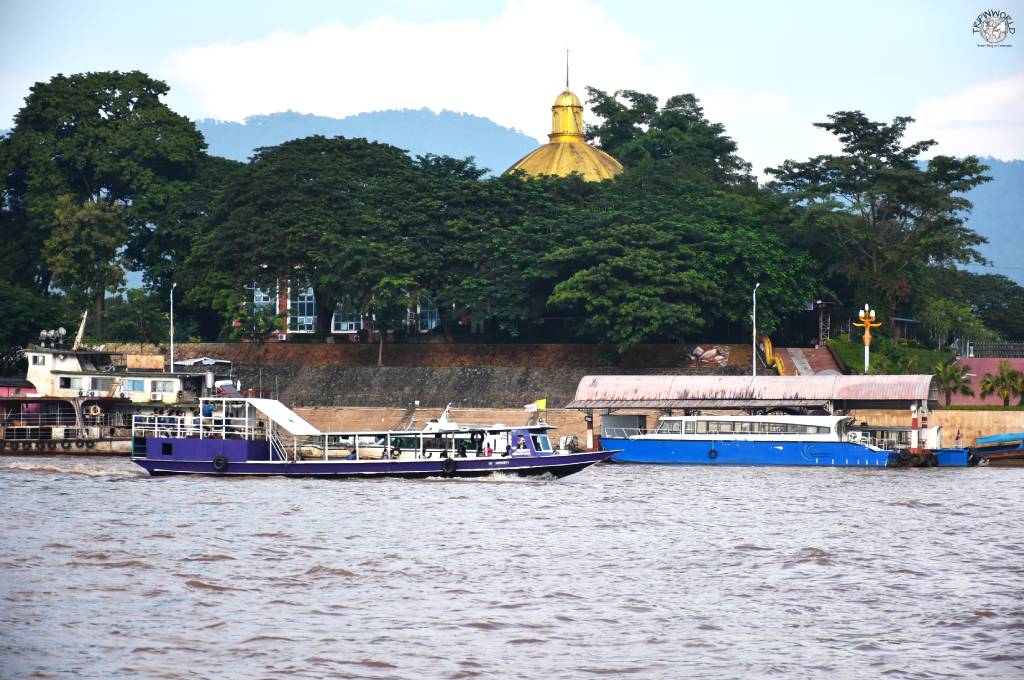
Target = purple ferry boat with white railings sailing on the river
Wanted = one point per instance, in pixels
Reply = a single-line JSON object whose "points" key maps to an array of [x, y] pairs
{"points": [[254, 437]]}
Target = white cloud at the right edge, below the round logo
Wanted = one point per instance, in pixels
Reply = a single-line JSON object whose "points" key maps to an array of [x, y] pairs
{"points": [[985, 120]]}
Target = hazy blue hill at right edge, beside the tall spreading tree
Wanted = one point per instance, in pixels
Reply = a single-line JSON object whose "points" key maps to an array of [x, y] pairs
{"points": [[999, 209]]}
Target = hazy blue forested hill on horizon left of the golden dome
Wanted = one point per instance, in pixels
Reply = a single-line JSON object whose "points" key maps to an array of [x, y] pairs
{"points": [[418, 132]]}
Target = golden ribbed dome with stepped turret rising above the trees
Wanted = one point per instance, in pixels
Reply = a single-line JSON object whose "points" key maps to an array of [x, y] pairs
{"points": [[567, 151]]}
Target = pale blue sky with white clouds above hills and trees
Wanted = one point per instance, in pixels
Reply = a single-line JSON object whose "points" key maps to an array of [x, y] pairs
{"points": [[766, 71]]}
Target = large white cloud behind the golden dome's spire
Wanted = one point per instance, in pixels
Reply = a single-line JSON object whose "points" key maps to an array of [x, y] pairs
{"points": [[508, 69]]}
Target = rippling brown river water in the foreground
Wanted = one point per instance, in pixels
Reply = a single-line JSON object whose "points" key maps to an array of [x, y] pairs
{"points": [[630, 572]]}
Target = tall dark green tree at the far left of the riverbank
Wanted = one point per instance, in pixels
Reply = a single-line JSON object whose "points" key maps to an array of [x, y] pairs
{"points": [[100, 139]]}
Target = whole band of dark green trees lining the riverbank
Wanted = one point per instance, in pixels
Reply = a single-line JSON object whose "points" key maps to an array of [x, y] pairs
{"points": [[101, 178]]}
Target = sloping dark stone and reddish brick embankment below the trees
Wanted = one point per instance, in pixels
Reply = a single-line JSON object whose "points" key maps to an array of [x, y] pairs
{"points": [[467, 376]]}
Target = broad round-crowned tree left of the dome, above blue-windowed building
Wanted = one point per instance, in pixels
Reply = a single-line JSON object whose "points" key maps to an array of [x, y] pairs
{"points": [[331, 215]]}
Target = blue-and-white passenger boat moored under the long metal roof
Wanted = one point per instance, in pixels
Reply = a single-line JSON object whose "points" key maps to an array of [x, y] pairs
{"points": [[786, 440]]}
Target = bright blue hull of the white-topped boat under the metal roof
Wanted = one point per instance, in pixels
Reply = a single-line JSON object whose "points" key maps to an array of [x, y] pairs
{"points": [[675, 452]]}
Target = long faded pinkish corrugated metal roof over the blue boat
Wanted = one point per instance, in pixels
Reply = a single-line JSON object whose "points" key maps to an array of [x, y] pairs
{"points": [[661, 391]]}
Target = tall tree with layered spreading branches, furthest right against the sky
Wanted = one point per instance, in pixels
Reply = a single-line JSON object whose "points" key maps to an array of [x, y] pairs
{"points": [[884, 214]]}
